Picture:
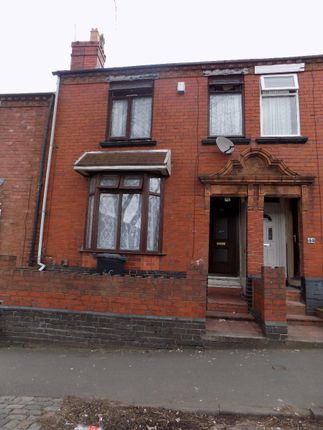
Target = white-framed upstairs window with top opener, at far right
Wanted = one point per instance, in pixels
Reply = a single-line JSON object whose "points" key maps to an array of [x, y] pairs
{"points": [[279, 105]]}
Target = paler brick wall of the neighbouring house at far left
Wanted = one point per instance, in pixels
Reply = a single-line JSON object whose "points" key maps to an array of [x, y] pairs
{"points": [[22, 123]]}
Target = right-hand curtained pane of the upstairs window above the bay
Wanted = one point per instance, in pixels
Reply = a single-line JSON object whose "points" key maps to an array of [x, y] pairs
{"points": [[141, 117]]}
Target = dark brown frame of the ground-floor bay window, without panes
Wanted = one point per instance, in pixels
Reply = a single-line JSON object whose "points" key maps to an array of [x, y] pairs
{"points": [[120, 189]]}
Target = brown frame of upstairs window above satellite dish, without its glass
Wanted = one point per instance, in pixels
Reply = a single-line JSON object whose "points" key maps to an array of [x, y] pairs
{"points": [[216, 86]]}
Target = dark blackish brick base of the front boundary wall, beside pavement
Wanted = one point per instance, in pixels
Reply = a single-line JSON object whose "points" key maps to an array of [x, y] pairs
{"points": [[92, 329]]}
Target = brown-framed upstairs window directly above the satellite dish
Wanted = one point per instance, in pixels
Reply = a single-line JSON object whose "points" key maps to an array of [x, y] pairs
{"points": [[225, 107]]}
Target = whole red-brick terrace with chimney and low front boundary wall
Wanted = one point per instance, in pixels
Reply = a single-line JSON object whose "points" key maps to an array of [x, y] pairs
{"points": [[200, 182]]}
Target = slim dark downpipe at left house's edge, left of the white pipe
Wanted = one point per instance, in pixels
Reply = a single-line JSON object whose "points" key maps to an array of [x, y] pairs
{"points": [[31, 259]]}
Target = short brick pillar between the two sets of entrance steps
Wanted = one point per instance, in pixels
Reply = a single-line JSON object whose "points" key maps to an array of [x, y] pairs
{"points": [[270, 302]]}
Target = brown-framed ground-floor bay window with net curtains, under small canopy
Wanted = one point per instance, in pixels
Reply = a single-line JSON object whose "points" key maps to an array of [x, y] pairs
{"points": [[124, 213]]}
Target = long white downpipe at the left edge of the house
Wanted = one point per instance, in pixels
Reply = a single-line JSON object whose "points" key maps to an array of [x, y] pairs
{"points": [[49, 160]]}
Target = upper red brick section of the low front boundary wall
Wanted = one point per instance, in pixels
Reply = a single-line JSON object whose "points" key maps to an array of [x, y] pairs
{"points": [[132, 295]]}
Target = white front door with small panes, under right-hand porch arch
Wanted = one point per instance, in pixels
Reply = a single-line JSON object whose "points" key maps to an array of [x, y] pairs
{"points": [[274, 235]]}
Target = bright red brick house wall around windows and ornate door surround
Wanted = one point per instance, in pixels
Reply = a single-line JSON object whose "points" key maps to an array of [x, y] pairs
{"points": [[180, 123]]}
